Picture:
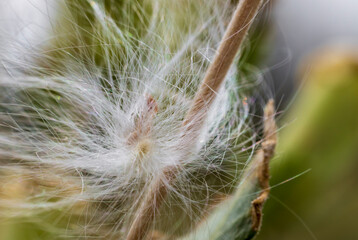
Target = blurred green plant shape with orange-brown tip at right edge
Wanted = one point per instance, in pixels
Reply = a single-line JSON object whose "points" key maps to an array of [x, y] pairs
{"points": [[314, 175]]}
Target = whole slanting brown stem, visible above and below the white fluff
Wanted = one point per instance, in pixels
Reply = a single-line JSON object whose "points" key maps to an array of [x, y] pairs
{"points": [[215, 75]]}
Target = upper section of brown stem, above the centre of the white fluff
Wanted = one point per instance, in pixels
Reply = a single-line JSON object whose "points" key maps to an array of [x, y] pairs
{"points": [[218, 69]]}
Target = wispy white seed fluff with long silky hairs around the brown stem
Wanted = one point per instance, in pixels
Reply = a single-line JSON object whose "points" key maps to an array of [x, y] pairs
{"points": [[93, 113]]}
